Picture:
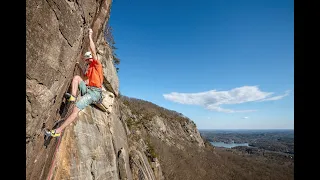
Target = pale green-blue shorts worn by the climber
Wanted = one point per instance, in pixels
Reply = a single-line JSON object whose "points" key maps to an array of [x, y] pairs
{"points": [[90, 95]]}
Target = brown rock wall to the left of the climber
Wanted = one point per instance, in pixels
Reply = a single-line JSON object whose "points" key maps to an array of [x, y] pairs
{"points": [[54, 40]]}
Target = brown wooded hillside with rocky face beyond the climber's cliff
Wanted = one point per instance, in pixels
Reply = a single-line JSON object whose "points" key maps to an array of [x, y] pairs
{"points": [[183, 154]]}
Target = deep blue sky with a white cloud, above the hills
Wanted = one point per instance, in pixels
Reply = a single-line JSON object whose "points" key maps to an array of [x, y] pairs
{"points": [[225, 64]]}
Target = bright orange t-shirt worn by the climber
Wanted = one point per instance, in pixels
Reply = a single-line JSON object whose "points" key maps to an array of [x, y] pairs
{"points": [[95, 74]]}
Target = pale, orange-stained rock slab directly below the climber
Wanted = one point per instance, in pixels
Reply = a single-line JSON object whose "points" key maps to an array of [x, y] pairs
{"points": [[87, 150]]}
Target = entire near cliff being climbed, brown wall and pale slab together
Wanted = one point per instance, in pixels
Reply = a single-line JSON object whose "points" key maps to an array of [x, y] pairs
{"points": [[56, 39]]}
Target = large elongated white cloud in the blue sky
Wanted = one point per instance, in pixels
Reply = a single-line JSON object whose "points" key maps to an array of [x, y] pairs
{"points": [[213, 99]]}
